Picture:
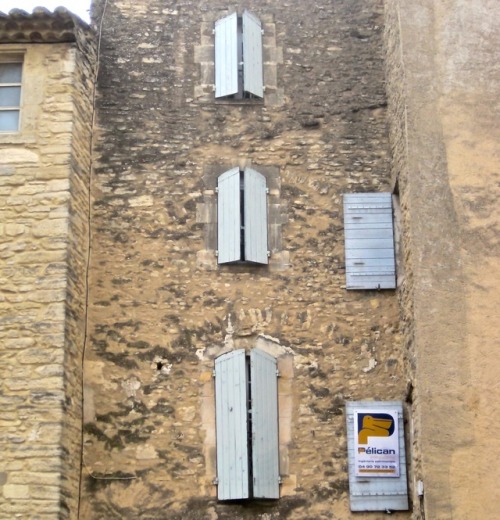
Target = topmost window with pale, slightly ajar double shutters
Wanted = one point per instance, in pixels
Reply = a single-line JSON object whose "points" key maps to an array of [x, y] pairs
{"points": [[238, 57]]}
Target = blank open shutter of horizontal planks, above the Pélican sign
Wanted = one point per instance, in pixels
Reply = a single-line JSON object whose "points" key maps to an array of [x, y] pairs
{"points": [[369, 241]]}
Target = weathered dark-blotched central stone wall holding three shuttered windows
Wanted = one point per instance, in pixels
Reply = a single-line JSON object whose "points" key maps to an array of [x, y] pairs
{"points": [[161, 309]]}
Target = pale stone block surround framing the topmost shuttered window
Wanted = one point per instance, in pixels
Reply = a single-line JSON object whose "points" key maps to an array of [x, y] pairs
{"points": [[204, 55]]}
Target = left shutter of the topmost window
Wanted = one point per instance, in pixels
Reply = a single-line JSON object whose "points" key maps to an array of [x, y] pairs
{"points": [[226, 56]]}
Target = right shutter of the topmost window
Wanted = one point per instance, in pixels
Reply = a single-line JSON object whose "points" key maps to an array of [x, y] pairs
{"points": [[253, 80]]}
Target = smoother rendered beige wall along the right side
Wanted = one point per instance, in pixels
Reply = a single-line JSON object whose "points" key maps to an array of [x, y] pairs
{"points": [[443, 111]]}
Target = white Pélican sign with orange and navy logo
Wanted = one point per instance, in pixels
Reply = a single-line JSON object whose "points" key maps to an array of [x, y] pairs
{"points": [[376, 443]]}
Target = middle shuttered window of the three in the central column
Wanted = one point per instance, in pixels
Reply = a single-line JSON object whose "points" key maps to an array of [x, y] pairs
{"points": [[242, 217]]}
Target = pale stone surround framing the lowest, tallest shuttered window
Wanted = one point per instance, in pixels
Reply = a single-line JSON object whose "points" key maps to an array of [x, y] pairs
{"points": [[285, 364]]}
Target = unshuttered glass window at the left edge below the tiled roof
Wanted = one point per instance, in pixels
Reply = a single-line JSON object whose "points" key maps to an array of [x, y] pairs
{"points": [[10, 94]]}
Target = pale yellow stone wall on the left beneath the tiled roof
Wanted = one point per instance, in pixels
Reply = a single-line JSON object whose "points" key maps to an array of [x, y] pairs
{"points": [[43, 255]]}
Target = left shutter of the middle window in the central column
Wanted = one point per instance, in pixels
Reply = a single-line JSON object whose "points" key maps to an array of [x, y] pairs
{"points": [[228, 217]]}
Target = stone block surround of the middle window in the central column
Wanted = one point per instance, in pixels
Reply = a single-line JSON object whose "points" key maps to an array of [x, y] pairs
{"points": [[206, 213]]}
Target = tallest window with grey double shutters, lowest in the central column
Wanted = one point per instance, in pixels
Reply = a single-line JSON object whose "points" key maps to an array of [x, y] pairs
{"points": [[246, 408]]}
